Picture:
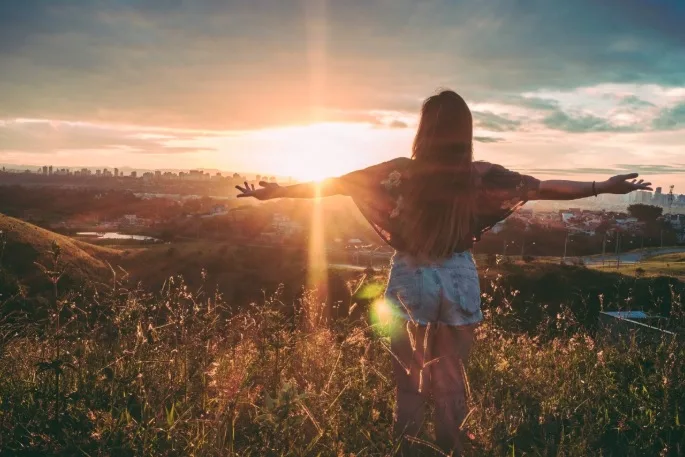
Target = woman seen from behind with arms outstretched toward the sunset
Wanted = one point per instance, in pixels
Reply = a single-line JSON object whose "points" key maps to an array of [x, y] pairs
{"points": [[431, 209]]}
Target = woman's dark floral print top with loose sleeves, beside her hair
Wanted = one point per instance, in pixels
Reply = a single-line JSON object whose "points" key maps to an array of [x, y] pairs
{"points": [[377, 192]]}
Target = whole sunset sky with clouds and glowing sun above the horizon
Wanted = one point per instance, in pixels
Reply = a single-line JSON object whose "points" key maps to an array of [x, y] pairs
{"points": [[559, 89]]}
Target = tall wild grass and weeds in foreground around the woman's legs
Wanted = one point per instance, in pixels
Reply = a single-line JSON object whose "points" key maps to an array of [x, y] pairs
{"points": [[125, 372]]}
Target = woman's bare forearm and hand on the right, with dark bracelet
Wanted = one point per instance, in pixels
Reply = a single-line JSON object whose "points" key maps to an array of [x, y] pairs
{"points": [[571, 190]]}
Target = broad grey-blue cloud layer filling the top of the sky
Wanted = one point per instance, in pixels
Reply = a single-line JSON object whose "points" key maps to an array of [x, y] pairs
{"points": [[238, 65]]}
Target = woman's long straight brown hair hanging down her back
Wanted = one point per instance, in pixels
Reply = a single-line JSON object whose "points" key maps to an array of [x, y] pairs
{"points": [[438, 203]]}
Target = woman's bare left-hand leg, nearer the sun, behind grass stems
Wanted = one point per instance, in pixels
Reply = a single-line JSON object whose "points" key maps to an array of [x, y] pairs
{"points": [[410, 395]]}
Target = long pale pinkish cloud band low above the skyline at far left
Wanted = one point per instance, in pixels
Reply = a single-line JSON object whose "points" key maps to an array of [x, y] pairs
{"points": [[42, 136]]}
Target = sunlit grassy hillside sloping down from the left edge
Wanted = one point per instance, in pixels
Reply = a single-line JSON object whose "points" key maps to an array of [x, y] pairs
{"points": [[23, 246]]}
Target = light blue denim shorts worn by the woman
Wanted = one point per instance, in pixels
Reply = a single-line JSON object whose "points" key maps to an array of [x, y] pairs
{"points": [[447, 291]]}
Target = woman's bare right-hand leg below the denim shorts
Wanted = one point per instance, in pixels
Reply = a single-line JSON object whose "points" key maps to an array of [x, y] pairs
{"points": [[451, 346]]}
